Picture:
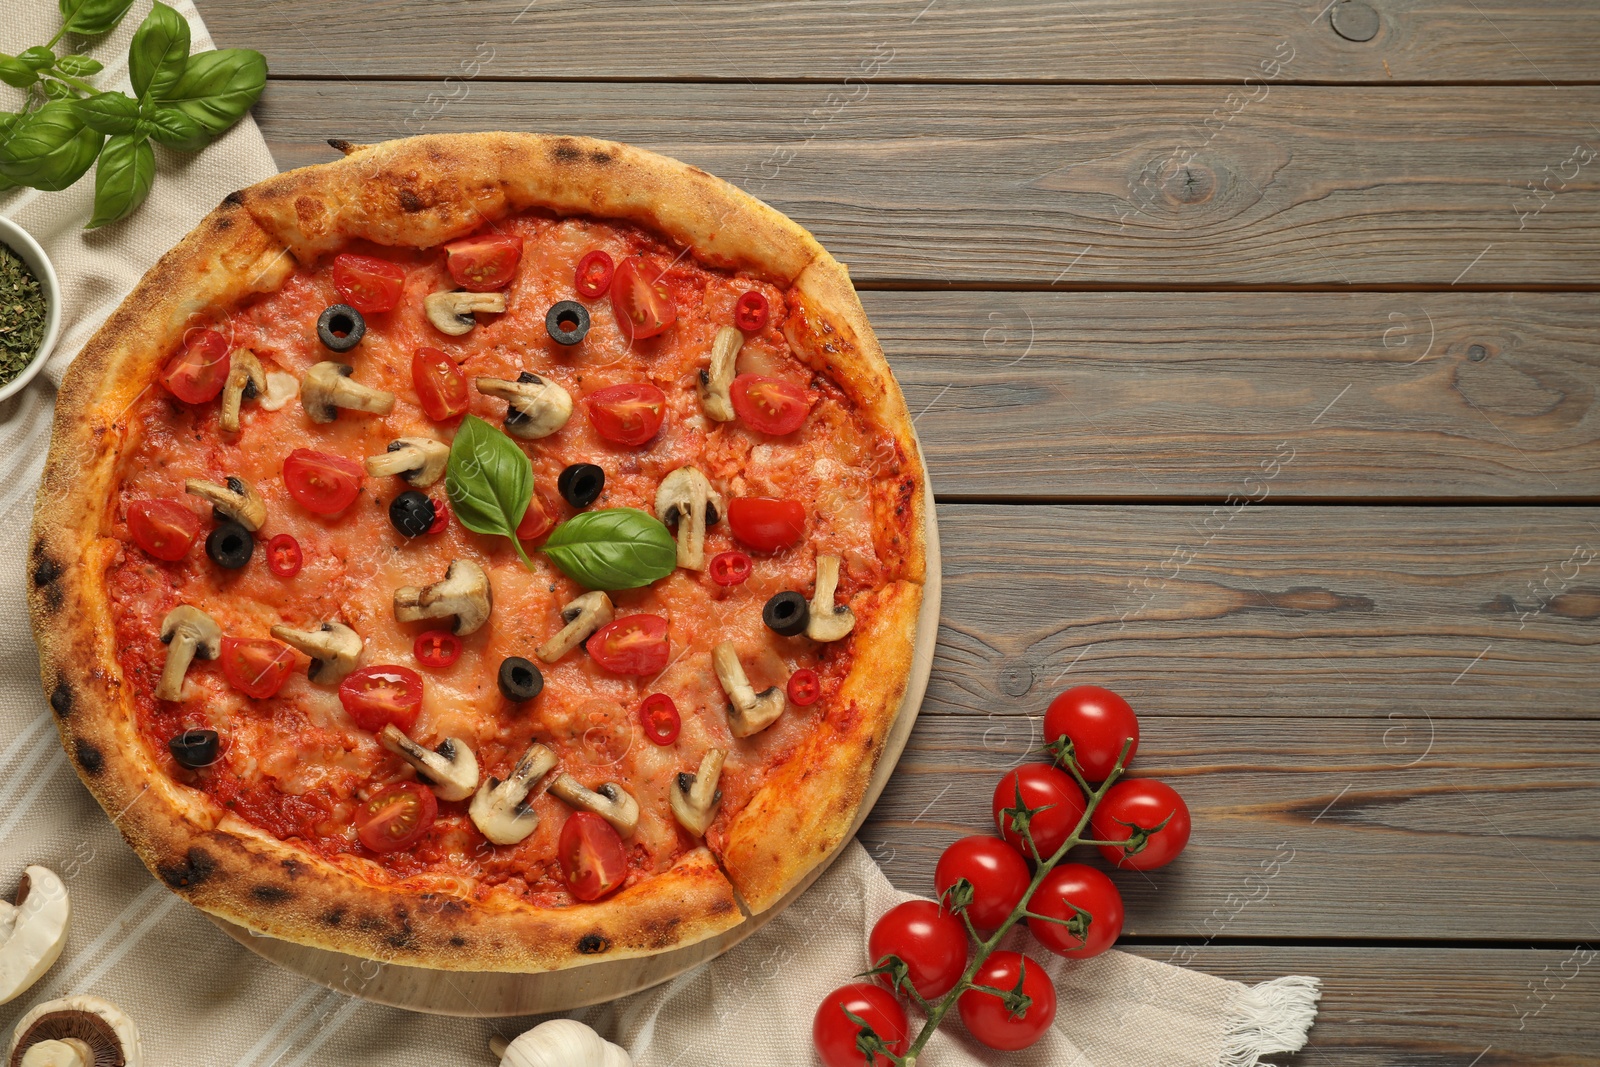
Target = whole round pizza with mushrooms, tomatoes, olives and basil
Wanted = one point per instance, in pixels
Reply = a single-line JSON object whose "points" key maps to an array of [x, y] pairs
{"points": [[482, 553]]}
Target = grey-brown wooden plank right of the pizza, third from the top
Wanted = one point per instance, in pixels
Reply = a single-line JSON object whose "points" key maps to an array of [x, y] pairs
{"points": [[1114, 396]]}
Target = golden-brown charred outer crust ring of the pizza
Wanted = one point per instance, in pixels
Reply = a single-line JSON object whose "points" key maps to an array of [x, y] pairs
{"points": [[426, 191]]}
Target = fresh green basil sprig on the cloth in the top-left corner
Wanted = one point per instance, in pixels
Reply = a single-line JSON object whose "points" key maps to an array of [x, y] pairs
{"points": [[180, 102]]}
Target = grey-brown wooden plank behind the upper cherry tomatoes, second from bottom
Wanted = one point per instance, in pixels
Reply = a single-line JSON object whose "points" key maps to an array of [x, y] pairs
{"points": [[1346, 829]]}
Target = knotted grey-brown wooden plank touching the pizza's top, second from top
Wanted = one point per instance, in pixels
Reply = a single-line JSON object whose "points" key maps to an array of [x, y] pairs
{"points": [[1095, 186]]}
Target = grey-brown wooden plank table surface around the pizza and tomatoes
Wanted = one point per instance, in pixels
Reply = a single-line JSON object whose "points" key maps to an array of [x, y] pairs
{"points": [[1254, 350]]}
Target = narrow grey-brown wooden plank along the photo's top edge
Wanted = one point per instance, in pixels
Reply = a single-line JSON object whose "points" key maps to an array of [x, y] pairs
{"points": [[1086, 41]]}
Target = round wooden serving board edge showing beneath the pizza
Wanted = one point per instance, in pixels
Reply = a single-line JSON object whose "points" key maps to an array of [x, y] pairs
{"points": [[495, 994]]}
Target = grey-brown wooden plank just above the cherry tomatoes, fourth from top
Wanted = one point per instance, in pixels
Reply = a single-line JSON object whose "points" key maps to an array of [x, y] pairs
{"points": [[1306, 612]]}
